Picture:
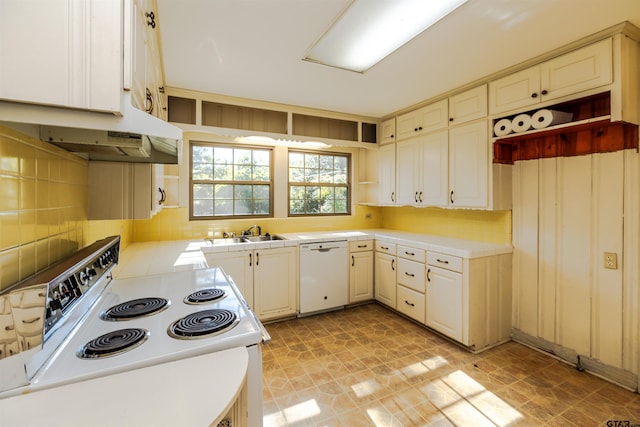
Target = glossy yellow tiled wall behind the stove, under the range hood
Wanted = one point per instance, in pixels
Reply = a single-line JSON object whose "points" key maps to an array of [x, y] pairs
{"points": [[43, 207]]}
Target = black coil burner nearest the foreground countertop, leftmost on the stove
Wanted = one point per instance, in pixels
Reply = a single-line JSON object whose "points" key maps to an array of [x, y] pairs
{"points": [[113, 343]]}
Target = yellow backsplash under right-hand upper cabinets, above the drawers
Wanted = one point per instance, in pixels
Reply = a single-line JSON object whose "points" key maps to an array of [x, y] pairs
{"points": [[486, 226]]}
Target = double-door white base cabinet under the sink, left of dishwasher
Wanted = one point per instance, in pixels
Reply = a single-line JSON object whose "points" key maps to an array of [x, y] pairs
{"points": [[267, 278]]}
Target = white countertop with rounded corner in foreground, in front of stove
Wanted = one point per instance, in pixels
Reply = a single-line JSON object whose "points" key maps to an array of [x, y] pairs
{"points": [[117, 400]]}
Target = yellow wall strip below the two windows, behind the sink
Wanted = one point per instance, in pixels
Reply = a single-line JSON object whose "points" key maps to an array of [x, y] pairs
{"points": [[174, 224]]}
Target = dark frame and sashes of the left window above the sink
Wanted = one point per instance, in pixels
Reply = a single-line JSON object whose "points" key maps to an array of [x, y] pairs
{"points": [[270, 183]]}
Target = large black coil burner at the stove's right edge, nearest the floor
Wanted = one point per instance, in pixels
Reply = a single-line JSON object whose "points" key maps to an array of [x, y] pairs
{"points": [[203, 324]]}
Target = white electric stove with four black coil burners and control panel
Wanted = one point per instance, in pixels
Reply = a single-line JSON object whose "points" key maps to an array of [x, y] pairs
{"points": [[96, 326]]}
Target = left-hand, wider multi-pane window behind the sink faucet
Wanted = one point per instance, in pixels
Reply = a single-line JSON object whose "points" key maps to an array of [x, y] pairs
{"points": [[230, 181]]}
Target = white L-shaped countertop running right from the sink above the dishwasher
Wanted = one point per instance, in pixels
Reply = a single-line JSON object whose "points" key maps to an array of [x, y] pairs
{"points": [[445, 245]]}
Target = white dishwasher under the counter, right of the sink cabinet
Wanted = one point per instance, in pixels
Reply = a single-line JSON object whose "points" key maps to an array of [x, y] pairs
{"points": [[324, 276]]}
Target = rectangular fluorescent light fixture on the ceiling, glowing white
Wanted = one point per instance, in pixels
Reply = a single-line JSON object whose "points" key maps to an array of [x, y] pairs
{"points": [[369, 30]]}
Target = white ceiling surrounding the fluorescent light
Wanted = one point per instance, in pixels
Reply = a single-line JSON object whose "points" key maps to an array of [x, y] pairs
{"points": [[253, 48]]}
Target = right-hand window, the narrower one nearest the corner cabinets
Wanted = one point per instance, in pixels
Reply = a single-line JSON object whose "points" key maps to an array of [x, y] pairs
{"points": [[319, 183]]}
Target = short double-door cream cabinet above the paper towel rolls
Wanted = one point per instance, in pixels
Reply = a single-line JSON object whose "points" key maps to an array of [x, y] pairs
{"points": [[583, 69]]}
